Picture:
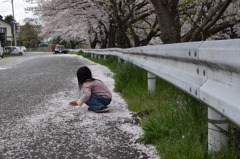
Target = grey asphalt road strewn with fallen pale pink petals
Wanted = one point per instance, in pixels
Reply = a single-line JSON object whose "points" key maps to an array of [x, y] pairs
{"points": [[36, 121]]}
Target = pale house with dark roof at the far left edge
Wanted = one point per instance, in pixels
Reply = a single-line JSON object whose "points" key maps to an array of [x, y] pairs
{"points": [[6, 35]]}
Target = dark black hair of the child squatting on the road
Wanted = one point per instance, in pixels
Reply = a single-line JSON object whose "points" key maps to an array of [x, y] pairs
{"points": [[84, 74]]}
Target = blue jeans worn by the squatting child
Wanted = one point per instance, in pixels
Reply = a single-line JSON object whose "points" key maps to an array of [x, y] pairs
{"points": [[97, 102]]}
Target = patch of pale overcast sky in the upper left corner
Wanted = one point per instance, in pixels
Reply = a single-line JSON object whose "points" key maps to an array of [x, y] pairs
{"points": [[19, 9]]}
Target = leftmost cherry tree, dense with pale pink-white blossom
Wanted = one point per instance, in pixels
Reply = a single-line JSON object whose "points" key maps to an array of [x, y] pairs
{"points": [[61, 20]]}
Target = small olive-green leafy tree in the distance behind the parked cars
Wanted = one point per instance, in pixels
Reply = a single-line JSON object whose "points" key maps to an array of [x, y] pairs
{"points": [[28, 34]]}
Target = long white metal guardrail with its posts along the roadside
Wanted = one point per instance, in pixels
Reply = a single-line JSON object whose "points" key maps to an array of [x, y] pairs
{"points": [[208, 71]]}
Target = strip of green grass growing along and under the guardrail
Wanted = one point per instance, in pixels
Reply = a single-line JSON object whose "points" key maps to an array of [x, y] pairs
{"points": [[175, 123]]}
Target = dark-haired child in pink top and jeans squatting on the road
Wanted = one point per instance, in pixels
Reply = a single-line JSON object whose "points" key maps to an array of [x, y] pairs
{"points": [[95, 93]]}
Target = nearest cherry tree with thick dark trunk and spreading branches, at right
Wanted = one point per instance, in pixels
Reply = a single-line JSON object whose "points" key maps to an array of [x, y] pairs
{"points": [[189, 20]]}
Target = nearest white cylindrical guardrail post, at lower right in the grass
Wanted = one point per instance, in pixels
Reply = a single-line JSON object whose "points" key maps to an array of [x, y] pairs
{"points": [[217, 124]]}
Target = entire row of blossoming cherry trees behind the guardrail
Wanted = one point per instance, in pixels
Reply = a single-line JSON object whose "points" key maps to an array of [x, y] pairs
{"points": [[127, 23]]}
